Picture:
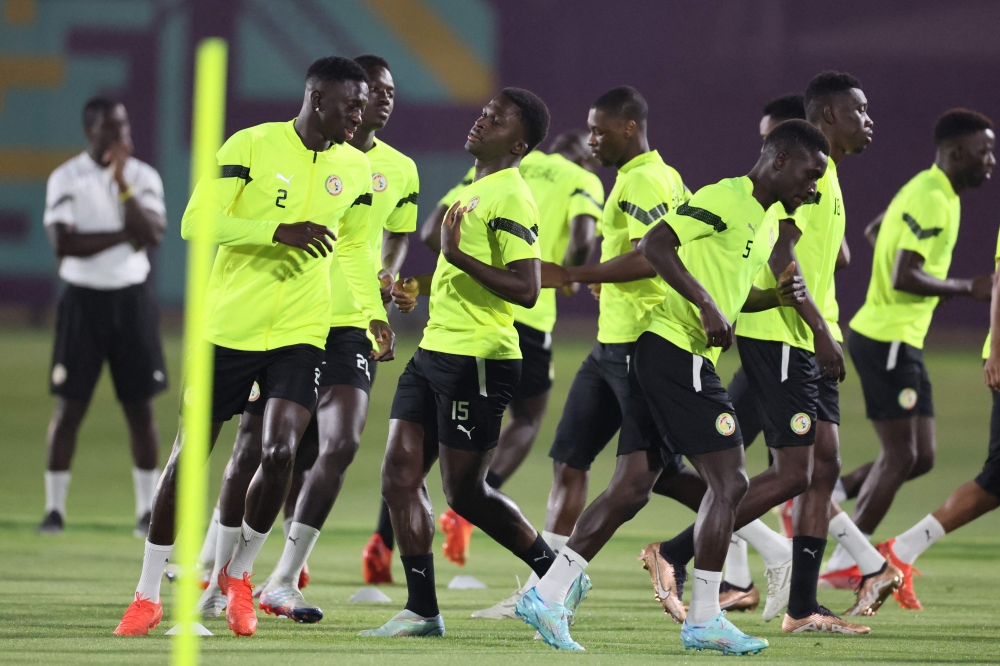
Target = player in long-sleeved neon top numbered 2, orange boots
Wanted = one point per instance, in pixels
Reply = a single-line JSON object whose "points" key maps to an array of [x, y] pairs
{"points": [[270, 305]]}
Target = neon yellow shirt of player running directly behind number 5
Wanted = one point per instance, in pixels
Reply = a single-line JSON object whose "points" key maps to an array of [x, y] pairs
{"points": [[821, 221]]}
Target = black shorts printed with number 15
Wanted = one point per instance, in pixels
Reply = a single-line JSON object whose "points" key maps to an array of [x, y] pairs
{"points": [[459, 400]]}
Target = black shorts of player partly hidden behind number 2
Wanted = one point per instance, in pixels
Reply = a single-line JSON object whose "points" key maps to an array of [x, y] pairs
{"points": [[346, 362]]}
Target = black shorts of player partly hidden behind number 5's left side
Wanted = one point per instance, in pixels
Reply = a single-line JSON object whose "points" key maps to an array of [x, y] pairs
{"points": [[595, 406]]}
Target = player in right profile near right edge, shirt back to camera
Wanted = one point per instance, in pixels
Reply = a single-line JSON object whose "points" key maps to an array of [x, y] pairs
{"points": [[909, 277]]}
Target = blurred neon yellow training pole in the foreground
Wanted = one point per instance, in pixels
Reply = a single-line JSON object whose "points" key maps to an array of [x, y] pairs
{"points": [[207, 128]]}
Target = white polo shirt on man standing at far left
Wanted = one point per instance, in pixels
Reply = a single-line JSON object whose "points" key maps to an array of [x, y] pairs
{"points": [[84, 195]]}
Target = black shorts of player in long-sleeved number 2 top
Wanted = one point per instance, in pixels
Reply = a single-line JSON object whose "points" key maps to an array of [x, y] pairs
{"points": [[242, 378]]}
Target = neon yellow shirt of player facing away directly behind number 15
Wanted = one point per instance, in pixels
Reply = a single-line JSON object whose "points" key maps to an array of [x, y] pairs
{"points": [[561, 190]]}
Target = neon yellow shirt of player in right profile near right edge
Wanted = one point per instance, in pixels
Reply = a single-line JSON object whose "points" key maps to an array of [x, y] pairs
{"points": [[923, 218]]}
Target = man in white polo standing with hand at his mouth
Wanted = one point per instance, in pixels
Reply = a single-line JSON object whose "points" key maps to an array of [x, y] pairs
{"points": [[103, 208]]}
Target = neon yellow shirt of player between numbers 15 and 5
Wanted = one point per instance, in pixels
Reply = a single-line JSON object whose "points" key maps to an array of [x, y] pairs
{"points": [[645, 190]]}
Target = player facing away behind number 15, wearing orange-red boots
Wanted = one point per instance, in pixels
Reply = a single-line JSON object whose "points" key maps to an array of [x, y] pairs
{"points": [[569, 199]]}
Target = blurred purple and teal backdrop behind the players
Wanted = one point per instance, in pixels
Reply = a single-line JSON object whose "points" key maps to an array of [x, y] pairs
{"points": [[706, 69]]}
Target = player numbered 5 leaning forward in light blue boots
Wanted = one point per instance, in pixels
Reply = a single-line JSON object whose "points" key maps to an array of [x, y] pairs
{"points": [[677, 404]]}
